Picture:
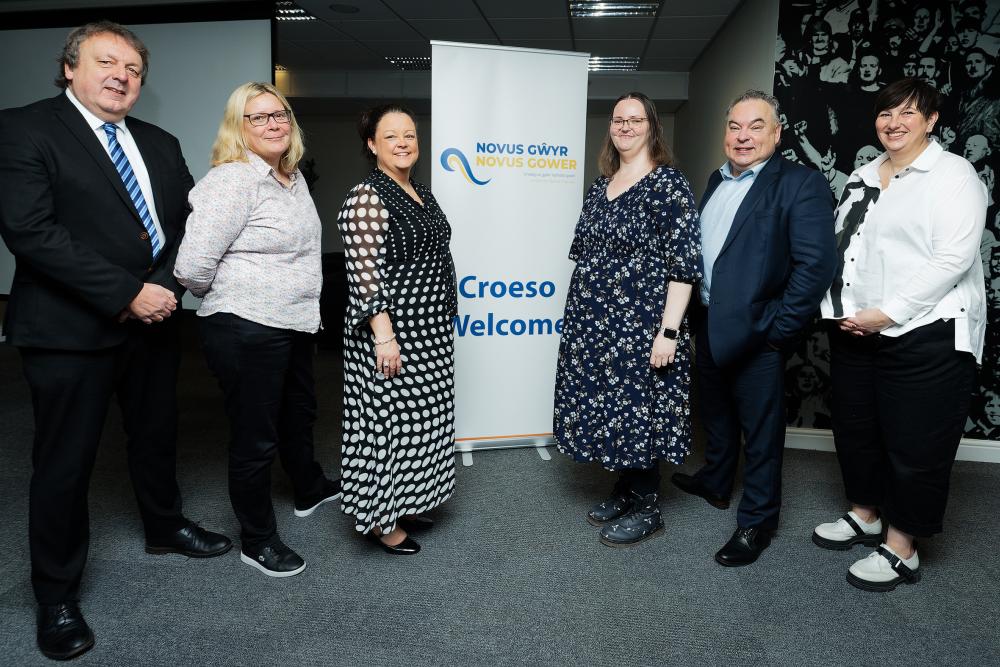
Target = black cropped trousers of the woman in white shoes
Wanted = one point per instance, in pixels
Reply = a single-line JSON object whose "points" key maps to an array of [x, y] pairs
{"points": [[899, 408]]}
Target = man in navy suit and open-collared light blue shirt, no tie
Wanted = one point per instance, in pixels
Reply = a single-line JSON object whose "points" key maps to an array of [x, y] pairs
{"points": [[770, 255]]}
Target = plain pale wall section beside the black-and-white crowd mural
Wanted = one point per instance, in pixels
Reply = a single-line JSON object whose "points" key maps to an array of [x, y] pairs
{"points": [[740, 57]]}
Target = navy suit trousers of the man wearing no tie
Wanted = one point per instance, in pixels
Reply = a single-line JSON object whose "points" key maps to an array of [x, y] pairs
{"points": [[743, 402]]}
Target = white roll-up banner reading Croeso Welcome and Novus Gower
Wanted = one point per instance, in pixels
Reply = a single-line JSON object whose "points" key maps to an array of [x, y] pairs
{"points": [[508, 131]]}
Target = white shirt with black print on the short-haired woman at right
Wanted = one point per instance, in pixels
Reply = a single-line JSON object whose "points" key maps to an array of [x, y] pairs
{"points": [[913, 252]]}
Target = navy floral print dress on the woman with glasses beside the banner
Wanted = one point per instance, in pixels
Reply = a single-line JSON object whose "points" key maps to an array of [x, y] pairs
{"points": [[611, 406]]}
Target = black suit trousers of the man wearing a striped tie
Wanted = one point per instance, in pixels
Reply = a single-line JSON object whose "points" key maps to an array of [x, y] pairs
{"points": [[70, 394]]}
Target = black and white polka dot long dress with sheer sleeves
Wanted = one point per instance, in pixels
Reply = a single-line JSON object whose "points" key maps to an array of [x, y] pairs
{"points": [[399, 433]]}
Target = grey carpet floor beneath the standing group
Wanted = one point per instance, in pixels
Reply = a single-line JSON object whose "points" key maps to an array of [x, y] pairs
{"points": [[511, 575]]}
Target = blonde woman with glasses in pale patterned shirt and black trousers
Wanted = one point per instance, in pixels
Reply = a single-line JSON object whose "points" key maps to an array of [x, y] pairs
{"points": [[252, 252]]}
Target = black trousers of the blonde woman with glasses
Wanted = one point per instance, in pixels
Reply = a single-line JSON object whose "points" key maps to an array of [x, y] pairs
{"points": [[266, 375]]}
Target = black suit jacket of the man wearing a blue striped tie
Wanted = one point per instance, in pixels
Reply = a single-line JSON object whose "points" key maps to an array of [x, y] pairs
{"points": [[82, 252]]}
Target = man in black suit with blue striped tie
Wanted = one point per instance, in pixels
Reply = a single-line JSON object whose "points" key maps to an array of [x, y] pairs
{"points": [[93, 207]]}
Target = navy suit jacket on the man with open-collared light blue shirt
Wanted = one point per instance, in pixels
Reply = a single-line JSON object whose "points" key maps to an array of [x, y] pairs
{"points": [[776, 263]]}
